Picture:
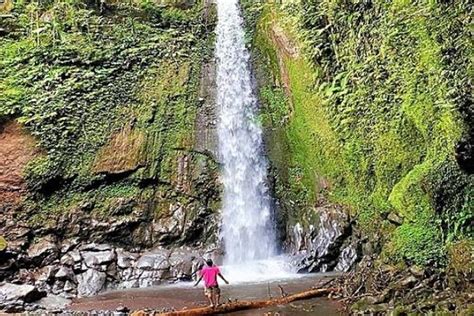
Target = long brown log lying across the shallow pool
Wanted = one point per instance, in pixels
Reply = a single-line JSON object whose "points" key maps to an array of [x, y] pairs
{"points": [[243, 305]]}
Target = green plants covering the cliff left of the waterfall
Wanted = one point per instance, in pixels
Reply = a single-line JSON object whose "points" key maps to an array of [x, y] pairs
{"points": [[108, 89]]}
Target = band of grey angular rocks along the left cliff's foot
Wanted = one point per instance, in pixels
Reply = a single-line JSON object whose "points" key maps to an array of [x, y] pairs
{"points": [[80, 270]]}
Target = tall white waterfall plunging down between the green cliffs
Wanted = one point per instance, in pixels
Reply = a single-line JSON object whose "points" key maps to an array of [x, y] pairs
{"points": [[248, 229]]}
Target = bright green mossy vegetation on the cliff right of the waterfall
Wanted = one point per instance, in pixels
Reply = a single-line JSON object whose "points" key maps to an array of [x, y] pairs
{"points": [[376, 100]]}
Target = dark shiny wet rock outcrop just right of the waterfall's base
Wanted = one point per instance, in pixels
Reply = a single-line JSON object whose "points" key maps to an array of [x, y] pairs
{"points": [[327, 246]]}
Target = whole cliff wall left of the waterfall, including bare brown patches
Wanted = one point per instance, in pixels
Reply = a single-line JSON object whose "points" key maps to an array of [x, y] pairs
{"points": [[110, 96]]}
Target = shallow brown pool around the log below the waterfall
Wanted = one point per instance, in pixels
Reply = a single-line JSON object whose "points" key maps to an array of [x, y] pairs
{"points": [[185, 295]]}
